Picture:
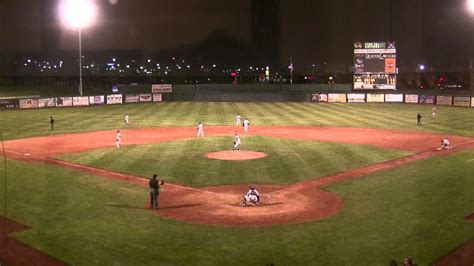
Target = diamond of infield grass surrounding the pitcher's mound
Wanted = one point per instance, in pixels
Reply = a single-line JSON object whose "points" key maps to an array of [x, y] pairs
{"points": [[288, 161]]}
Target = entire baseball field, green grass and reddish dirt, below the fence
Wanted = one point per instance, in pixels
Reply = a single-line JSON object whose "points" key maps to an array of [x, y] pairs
{"points": [[340, 184]]}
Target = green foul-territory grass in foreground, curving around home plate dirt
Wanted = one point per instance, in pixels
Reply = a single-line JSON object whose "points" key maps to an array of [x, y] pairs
{"points": [[414, 210]]}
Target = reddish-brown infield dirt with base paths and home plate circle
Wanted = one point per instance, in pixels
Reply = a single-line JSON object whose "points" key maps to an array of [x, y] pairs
{"points": [[218, 205]]}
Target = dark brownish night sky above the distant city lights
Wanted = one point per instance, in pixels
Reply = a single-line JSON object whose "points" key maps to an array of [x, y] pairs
{"points": [[312, 31]]}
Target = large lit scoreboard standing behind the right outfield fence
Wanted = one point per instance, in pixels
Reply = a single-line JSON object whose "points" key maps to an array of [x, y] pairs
{"points": [[375, 65]]}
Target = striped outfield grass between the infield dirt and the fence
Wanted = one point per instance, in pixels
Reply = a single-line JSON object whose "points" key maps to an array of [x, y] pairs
{"points": [[27, 123]]}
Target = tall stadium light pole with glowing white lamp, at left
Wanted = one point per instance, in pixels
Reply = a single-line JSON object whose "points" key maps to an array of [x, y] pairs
{"points": [[77, 15]]}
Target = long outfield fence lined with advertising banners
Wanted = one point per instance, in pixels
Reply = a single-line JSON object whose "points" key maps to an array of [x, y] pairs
{"points": [[32, 102]]}
